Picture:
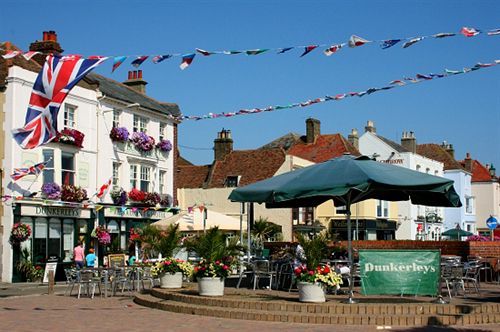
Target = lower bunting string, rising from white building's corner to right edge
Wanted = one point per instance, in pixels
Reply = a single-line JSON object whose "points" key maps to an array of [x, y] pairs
{"points": [[391, 85]]}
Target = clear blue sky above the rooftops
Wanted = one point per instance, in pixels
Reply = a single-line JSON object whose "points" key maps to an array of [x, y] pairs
{"points": [[463, 110]]}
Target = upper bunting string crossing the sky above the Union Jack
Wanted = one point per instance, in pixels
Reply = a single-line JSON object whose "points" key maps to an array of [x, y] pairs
{"points": [[328, 49]]}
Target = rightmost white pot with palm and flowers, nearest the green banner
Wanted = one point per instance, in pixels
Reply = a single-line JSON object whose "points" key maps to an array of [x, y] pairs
{"points": [[313, 278]]}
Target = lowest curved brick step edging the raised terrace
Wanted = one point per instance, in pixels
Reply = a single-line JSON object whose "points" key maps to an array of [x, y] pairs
{"points": [[207, 309]]}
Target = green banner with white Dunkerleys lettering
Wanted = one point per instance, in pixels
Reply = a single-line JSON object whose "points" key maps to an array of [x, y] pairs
{"points": [[401, 272]]}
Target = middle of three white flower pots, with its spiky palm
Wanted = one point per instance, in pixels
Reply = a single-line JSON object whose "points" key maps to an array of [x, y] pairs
{"points": [[218, 258]]}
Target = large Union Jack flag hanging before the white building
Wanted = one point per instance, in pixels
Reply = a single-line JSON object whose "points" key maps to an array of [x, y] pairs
{"points": [[56, 79]]}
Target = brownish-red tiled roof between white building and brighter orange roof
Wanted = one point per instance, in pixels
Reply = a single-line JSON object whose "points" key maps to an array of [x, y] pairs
{"points": [[250, 165]]}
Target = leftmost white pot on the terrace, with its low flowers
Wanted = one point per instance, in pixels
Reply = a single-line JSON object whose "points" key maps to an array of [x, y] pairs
{"points": [[171, 272]]}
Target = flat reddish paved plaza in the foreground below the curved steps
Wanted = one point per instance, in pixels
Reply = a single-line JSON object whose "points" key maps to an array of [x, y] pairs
{"points": [[42, 312]]}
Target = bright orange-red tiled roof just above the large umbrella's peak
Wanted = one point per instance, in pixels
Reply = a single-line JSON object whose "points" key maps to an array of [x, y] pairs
{"points": [[324, 148]]}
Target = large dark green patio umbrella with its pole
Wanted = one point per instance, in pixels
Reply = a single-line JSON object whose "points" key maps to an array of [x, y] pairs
{"points": [[347, 180]]}
